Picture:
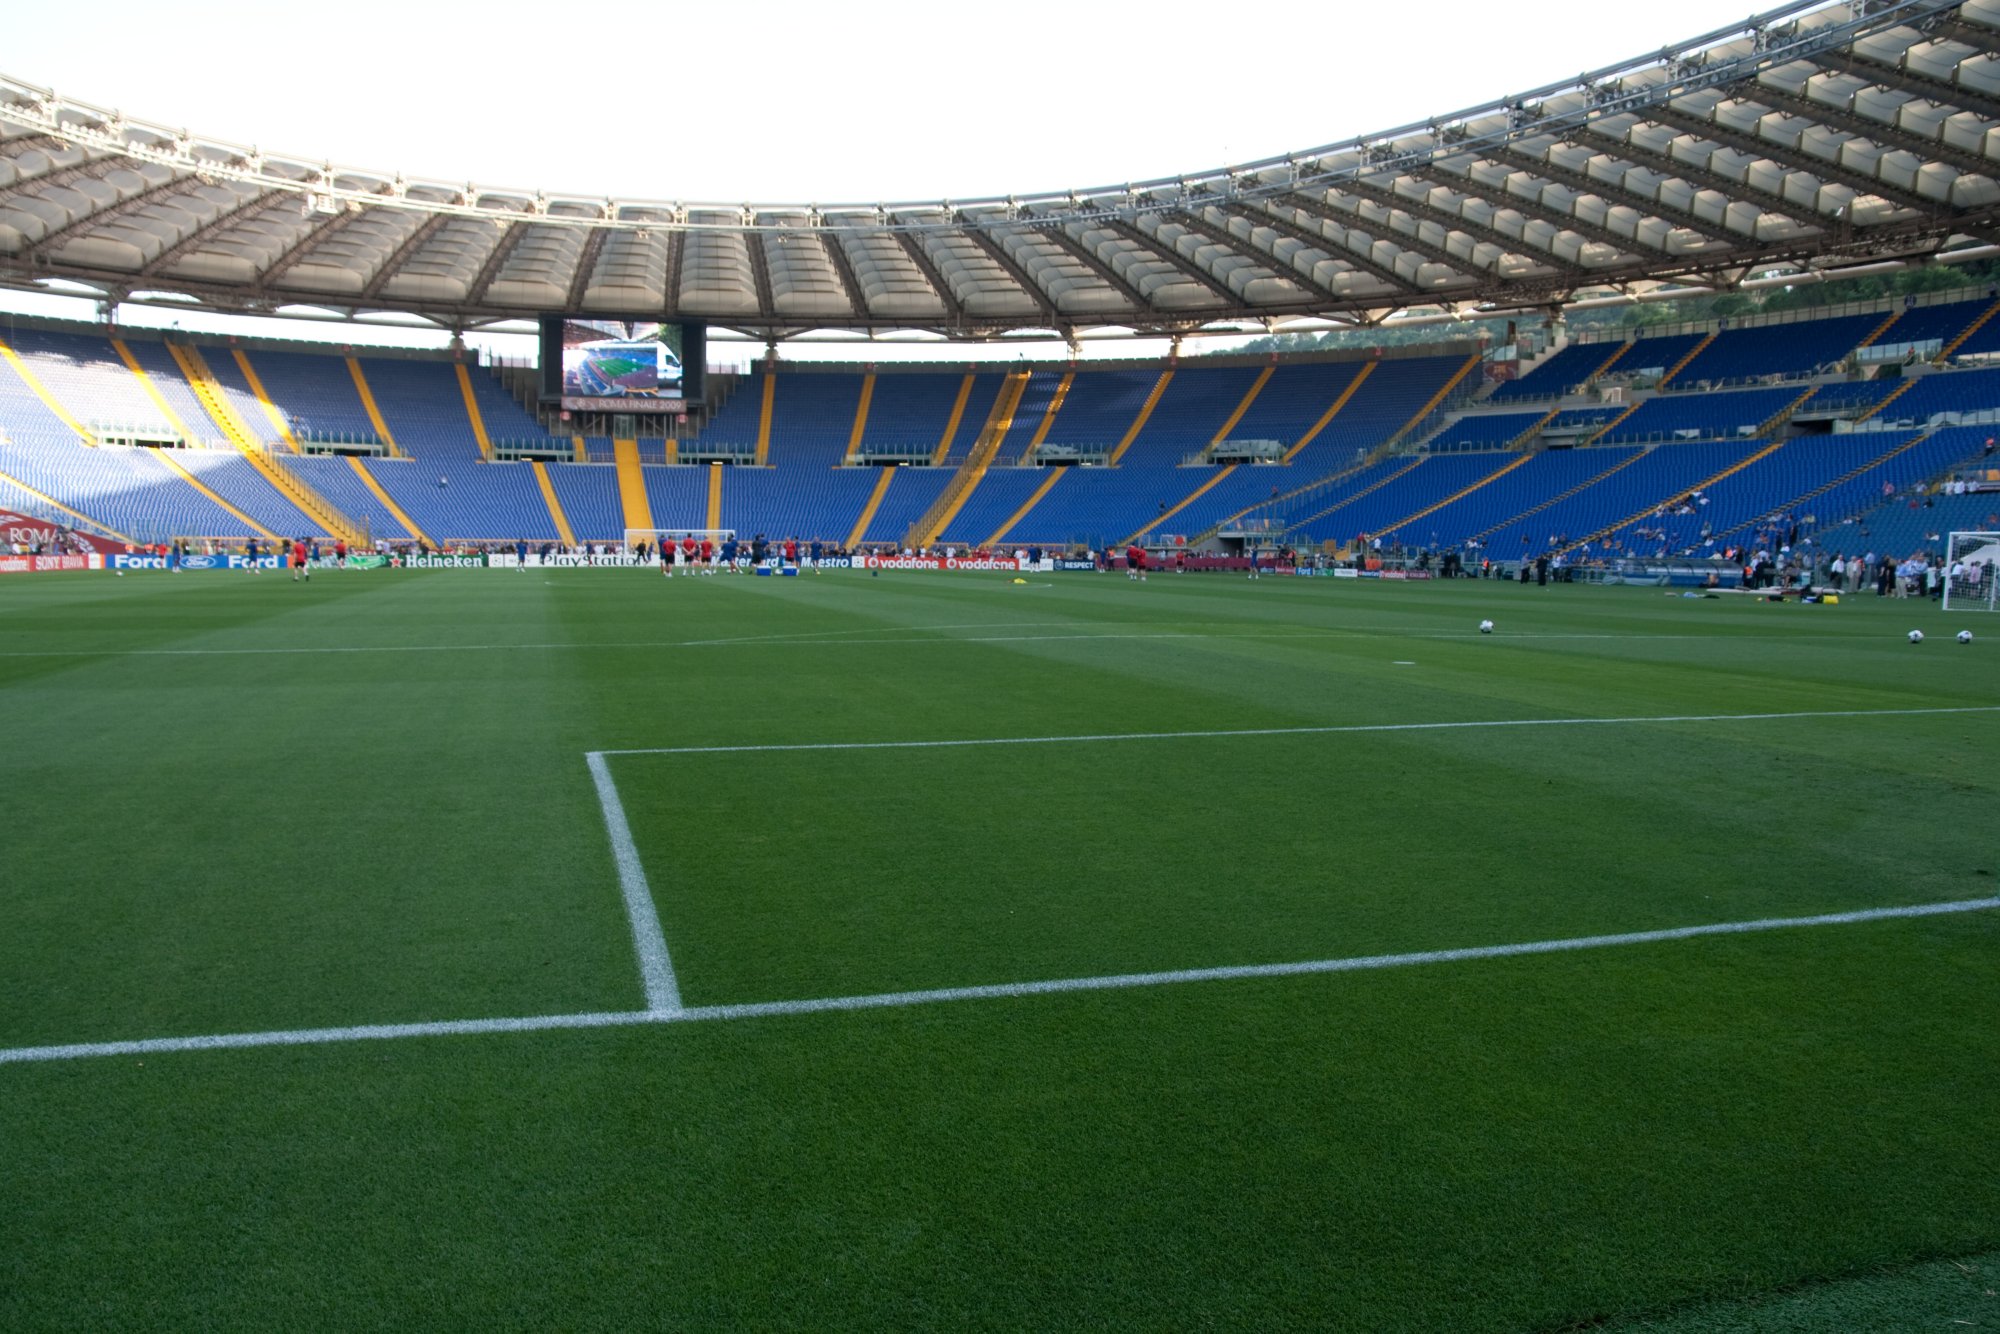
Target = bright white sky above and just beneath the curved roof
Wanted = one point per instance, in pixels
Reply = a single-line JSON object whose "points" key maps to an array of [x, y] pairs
{"points": [[811, 103]]}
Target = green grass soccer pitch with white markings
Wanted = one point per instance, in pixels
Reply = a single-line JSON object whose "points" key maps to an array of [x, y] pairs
{"points": [[937, 951]]}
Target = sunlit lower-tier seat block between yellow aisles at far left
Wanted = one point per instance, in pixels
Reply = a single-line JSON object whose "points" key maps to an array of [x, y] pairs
{"points": [[127, 489]]}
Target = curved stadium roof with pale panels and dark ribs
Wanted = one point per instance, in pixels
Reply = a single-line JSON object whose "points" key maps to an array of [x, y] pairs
{"points": [[1815, 135]]}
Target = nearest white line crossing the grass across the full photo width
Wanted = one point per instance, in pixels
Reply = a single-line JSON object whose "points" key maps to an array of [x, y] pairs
{"points": [[883, 1001]]}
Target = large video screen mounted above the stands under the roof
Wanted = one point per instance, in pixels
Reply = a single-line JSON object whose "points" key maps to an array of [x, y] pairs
{"points": [[597, 365]]}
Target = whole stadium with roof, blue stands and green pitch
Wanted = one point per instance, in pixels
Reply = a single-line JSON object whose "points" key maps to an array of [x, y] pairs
{"points": [[1397, 735]]}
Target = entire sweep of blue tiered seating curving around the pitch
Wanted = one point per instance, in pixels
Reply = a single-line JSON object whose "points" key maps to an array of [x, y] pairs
{"points": [[1515, 503]]}
